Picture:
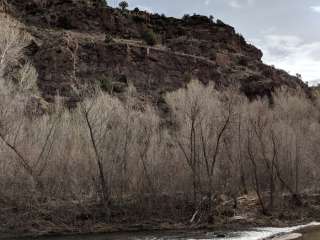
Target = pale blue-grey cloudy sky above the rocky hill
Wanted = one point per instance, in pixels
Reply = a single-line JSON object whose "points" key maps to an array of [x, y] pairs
{"points": [[287, 31]]}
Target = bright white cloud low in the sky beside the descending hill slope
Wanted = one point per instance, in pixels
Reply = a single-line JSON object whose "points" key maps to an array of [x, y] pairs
{"points": [[292, 54]]}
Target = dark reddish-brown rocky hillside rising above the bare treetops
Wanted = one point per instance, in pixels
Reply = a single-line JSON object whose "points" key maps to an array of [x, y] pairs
{"points": [[190, 47]]}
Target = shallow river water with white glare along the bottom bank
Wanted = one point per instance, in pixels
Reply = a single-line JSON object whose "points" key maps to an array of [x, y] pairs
{"points": [[253, 234]]}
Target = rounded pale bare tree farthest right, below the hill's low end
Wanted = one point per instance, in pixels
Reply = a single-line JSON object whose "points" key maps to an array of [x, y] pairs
{"points": [[296, 115]]}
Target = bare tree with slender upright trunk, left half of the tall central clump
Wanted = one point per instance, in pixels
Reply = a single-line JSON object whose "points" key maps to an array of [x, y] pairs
{"points": [[189, 107]]}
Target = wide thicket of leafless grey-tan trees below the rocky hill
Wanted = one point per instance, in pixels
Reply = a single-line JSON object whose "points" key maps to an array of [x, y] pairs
{"points": [[120, 152]]}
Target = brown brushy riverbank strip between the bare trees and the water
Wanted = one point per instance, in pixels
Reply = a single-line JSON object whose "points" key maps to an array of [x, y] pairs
{"points": [[58, 218]]}
